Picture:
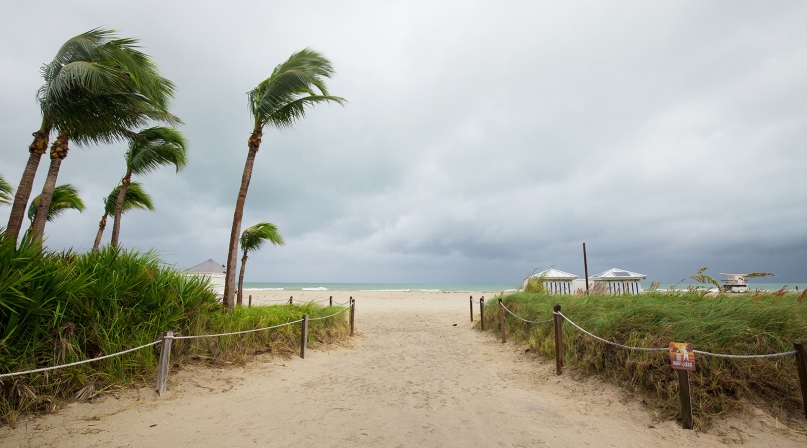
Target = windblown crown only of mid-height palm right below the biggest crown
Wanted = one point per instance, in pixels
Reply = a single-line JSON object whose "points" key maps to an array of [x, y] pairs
{"points": [[155, 147]]}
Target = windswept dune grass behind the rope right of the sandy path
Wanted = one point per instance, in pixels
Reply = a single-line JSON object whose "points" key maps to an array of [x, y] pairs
{"points": [[759, 323]]}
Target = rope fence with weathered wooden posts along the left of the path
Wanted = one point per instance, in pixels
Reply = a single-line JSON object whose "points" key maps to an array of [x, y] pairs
{"points": [[166, 341]]}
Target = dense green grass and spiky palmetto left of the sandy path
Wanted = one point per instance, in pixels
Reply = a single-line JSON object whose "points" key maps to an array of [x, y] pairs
{"points": [[61, 307]]}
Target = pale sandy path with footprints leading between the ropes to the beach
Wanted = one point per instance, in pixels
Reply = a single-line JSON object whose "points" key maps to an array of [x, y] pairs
{"points": [[410, 378]]}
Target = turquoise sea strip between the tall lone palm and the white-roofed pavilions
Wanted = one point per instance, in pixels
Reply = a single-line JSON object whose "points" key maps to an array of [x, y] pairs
{"points": [[413, 287]]}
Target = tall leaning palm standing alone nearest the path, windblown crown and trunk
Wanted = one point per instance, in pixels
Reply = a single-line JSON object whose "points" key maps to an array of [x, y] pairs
{"points": [[278, 101]]}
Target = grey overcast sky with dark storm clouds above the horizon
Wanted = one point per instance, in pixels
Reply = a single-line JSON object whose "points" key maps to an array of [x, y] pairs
{"points": [[481, 139]]}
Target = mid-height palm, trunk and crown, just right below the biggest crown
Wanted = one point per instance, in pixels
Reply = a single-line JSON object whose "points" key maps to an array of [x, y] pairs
{"points": [[150, 149]]}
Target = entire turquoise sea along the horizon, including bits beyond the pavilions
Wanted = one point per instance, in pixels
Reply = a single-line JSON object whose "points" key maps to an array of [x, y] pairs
{"points": [[458, 287]]}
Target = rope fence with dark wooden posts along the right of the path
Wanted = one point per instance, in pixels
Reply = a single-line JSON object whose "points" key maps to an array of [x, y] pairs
{"points": [[800, 353]]}
